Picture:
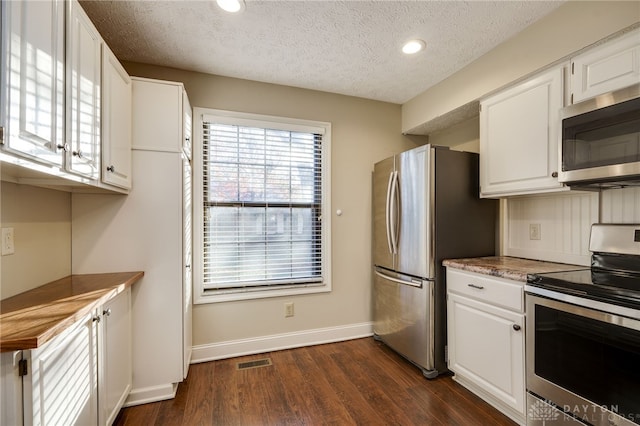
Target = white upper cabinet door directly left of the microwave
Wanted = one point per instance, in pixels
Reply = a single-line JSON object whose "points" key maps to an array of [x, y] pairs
{"points": [[519, 132]]}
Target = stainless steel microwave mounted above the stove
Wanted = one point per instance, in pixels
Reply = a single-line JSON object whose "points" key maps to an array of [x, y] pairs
{"points": [[600, 141]]}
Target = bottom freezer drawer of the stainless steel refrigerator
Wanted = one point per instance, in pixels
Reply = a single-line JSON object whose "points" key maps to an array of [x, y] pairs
{"points": [[403, 316]]}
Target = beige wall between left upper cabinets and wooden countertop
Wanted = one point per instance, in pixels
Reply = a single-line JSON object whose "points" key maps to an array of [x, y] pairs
{"points": [[41, 219]]}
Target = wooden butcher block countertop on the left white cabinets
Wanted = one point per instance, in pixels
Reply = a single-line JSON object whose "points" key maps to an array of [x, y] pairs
{"points": [[30, 319]]}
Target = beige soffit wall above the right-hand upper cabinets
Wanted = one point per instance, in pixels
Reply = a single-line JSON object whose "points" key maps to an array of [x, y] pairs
{"points": [[573, 26]]}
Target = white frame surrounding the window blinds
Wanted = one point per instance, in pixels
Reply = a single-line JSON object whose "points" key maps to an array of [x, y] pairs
{"points": [[202, 115]]}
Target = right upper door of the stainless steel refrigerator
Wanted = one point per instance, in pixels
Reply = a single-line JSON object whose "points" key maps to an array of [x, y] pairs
{"points": [[412, 202]]}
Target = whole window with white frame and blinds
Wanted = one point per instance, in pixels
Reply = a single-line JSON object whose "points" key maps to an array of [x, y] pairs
{"points": [[262, 206]]}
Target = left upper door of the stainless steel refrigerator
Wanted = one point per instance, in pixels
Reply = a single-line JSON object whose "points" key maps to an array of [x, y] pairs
{"points": [[383, 176]]}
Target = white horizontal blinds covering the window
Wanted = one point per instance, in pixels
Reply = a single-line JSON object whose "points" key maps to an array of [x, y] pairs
{"points": [[262, 205]]}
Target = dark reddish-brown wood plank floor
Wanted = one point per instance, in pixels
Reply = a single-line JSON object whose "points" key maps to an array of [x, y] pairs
{"points": [[358, 382]]}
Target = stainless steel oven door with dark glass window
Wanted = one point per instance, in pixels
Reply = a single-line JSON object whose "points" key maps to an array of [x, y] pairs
{"points": [[584, 361]]}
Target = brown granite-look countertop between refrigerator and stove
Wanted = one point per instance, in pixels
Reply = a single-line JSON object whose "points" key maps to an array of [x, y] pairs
{"points": [[512, 268]]}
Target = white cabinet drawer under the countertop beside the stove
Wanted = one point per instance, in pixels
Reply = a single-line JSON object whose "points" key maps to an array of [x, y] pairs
{"points": [[496, 291]]}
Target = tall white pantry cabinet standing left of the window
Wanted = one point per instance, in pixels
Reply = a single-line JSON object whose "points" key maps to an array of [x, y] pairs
{"points": [[147, 230]]}
